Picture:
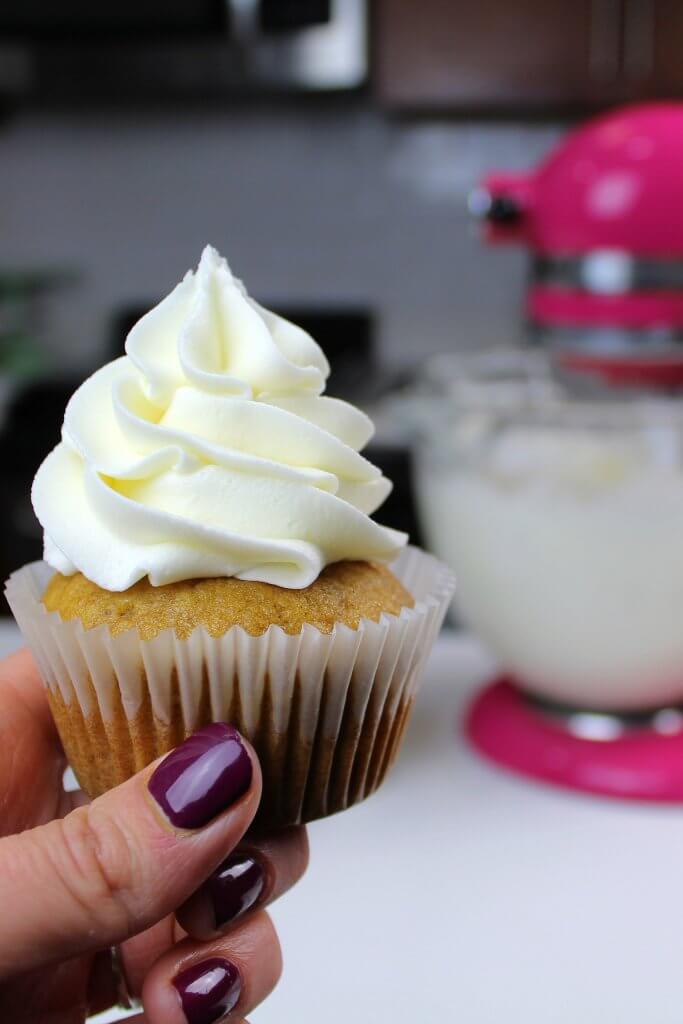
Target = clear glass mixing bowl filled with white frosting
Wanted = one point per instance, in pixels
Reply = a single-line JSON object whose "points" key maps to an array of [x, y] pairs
{"points": [[564, 522]]}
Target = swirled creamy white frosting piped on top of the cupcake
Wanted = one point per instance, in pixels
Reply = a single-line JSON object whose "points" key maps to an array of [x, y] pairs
{"points": [[209, 450]]}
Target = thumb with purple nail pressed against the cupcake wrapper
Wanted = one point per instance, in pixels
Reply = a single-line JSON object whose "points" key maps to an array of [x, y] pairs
{"points": [[119, 865]]}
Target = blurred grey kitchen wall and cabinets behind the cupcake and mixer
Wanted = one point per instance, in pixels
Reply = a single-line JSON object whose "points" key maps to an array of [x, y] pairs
{"points": [[328, 149]]}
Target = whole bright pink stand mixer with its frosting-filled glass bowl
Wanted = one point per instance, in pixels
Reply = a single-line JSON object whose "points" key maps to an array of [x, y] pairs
{"points": [[568, 519]]}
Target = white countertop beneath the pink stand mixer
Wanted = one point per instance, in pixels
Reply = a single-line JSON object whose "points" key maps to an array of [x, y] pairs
{"points": [[459, 893]]}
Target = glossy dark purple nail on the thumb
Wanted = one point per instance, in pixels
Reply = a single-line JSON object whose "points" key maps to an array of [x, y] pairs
{"points": [[202, 777]]}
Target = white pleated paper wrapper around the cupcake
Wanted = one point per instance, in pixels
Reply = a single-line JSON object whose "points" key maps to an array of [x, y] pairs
{"points": [[326, 712]]}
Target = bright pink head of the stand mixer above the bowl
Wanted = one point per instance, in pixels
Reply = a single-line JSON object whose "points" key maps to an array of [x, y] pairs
{"points": [[604, 220]]}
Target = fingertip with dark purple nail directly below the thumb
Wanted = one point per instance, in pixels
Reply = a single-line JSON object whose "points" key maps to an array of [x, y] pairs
{"points": [[253, 876]]}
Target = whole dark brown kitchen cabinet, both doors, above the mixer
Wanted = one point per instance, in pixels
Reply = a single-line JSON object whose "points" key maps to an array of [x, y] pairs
{"points": [[531, 55]]}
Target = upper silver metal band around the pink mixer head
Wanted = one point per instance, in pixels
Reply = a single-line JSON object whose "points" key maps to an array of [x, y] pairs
{"points": [[609, 272]]}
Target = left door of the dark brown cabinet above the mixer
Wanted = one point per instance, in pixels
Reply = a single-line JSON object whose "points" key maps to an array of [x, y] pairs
{"points": [[497, 54]]}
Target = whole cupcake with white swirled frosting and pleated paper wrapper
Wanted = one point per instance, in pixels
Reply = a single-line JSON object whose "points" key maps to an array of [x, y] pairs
{"points": [[210, 556]]}
